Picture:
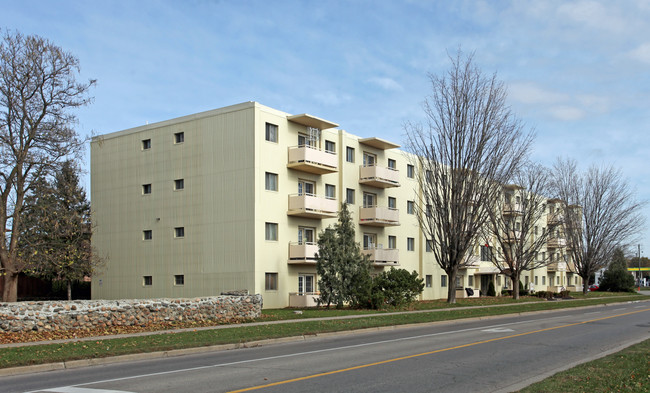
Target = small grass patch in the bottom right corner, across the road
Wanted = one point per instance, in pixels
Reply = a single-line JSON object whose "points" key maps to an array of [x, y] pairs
{"points": [[624, 371]]}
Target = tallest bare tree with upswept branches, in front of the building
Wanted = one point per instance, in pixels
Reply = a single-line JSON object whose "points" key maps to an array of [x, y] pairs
{"points": [[469, 148]]}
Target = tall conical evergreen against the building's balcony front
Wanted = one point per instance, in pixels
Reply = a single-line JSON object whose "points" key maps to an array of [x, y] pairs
{"points": [[344, 273]]}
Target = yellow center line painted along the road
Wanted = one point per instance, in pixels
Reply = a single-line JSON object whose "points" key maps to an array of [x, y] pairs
{"points": [[428, 353]]}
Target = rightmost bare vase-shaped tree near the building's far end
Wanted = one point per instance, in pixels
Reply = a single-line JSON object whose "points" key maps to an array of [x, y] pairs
{"points": [[601, 214]]}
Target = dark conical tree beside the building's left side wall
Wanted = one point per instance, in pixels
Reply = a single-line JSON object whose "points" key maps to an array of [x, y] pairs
{"points": [[55, 241]]}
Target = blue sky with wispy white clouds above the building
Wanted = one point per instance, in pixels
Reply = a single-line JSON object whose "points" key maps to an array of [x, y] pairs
{"points": [[578, 72]]}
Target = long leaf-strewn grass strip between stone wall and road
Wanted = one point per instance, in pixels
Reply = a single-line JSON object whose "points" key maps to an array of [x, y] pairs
{"points": [[49, 353]]}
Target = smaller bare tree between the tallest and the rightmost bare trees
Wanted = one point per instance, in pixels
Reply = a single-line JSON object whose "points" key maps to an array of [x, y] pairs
{"points": [[519, 229]]}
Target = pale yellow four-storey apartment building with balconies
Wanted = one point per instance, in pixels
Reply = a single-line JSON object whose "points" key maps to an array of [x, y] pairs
{"points": [[234, 198]]}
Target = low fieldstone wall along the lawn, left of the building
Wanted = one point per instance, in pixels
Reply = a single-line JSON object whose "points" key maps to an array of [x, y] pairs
{"points": [[77, 314]]}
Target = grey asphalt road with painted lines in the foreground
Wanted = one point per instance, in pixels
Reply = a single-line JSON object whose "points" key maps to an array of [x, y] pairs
{"points": [[498, 354]]}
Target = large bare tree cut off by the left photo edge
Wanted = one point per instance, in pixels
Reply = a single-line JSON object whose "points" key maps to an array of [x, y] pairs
{"points": [[38, 88]]}
